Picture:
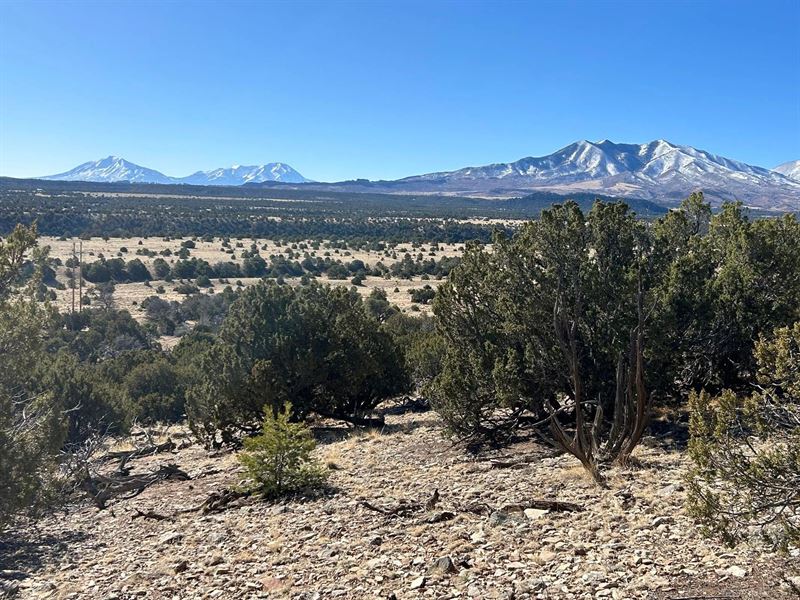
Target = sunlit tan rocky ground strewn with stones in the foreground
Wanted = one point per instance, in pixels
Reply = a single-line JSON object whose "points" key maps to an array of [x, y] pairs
{"points": [[483, 538]]}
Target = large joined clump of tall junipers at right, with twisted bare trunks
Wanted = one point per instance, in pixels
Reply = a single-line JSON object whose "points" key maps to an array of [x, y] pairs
{"points": [[543, 322]]}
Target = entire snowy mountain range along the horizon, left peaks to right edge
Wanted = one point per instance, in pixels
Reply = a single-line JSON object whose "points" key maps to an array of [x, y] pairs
{"points": [[659, 171]]}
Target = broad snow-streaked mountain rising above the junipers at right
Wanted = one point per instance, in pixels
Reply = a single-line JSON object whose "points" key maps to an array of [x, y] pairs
{"points": [[658, 170]]}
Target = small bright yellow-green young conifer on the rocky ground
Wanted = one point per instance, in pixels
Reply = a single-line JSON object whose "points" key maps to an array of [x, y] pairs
{"points": [[278, 461]]}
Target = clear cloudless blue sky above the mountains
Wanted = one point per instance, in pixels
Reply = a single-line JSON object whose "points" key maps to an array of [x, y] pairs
{"points": [[388, 89]]}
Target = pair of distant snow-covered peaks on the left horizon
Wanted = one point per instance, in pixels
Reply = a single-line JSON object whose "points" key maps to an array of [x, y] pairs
{"points": [[114, 168]]}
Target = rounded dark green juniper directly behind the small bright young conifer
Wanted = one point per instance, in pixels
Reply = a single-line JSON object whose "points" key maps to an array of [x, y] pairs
{"points": [[314, 346]]}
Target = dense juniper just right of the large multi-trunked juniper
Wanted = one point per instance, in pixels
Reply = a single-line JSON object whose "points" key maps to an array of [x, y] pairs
{"points": [[725, 281]]}
